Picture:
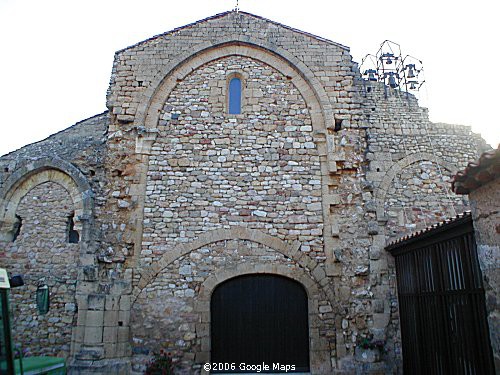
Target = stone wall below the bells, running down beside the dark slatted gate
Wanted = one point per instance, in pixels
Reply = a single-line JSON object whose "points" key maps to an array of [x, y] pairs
{"points": [[410, 163]]}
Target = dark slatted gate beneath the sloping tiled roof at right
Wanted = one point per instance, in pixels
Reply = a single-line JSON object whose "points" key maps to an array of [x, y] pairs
{"points": [[441, 302]]}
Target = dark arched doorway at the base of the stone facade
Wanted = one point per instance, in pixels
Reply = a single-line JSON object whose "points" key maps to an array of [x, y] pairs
{"points": [[260, 320]]}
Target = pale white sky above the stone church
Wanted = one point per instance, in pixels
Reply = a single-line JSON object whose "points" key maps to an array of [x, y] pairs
{"points": [[56, 56]]}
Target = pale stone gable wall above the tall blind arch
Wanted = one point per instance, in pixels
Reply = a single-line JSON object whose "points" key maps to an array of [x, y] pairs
{"points": [[136, 67]]}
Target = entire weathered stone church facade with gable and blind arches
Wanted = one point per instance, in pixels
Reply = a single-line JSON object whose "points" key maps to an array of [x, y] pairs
{"points": [[135, 216]]}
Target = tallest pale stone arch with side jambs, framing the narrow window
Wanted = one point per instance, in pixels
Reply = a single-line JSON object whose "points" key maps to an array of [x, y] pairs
{"points": [[312, 91]]}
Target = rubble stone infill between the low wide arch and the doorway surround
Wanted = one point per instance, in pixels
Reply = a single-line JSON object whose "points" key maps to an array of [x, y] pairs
{"points": [[166, 315]]}
